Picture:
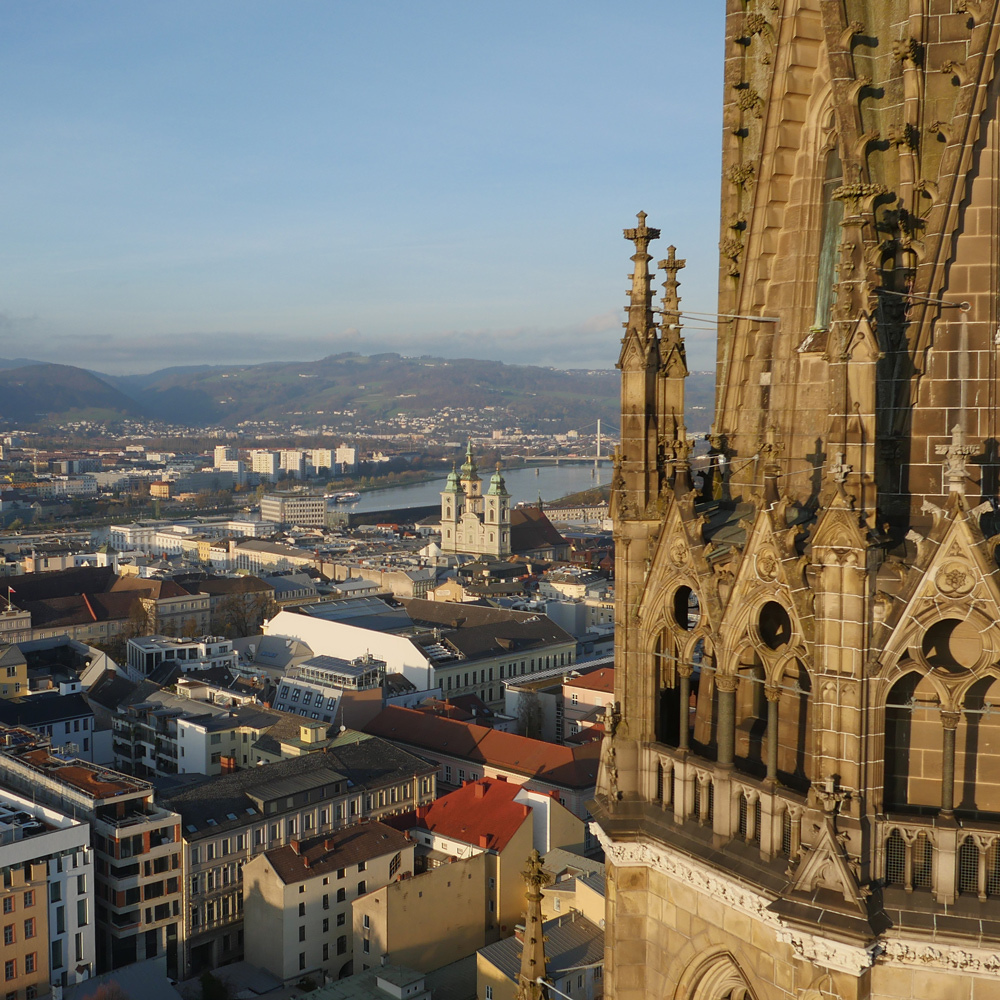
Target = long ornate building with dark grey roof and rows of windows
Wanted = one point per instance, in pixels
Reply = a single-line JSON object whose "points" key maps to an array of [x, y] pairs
{"points": [[232, 818]]}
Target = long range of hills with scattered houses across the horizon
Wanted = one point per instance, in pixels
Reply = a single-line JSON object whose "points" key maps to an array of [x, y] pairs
{"points": [[315, 392]]}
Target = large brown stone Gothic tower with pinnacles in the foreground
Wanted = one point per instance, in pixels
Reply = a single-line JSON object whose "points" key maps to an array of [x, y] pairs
{"points": [[799, 793]]}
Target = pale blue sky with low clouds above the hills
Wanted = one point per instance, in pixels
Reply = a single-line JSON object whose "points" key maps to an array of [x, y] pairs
{"points": [[234, 181]]}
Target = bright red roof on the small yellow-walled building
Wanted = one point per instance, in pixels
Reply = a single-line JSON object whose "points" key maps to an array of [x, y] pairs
{"points": [[482, 813]]}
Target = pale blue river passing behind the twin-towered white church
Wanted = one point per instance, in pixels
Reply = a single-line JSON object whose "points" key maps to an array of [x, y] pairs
{"points": [[523, 485]]}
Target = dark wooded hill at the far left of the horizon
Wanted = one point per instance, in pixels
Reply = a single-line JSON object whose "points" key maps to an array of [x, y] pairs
{"points": [[36, 393]]}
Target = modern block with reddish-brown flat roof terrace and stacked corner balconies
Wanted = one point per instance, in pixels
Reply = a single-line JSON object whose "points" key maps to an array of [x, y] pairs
{"points": [[136, 846]]}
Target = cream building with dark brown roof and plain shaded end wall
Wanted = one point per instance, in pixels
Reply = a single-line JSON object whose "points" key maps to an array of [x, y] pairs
{"points": [[298, 898]]}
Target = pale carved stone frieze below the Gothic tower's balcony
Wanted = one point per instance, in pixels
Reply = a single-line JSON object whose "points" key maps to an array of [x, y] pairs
{"points": [[822, 951]]}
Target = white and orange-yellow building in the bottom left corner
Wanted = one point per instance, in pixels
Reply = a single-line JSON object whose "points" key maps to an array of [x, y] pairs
{"points": [[51, 915]]}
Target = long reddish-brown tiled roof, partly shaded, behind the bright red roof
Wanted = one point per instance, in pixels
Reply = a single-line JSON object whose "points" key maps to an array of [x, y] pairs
{"points": [[570, 767]]}
